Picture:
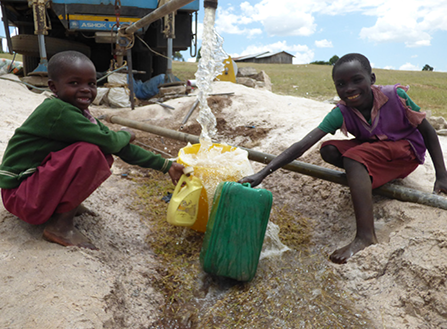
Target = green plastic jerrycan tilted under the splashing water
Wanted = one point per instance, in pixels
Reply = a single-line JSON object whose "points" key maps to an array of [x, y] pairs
{"points": [[235, 231]]}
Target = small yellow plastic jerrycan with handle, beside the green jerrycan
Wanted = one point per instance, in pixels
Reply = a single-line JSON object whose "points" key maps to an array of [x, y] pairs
{"points": [[184, 205]]}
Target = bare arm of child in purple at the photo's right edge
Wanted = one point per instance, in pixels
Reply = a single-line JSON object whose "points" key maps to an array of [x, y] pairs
{"points": [[434, 148]]}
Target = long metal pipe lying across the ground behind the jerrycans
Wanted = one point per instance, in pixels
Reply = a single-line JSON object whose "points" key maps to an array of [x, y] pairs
{"points": [[388, 190]]}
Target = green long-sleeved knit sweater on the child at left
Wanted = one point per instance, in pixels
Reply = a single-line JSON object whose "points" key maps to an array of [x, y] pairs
{"points": [[54, 125]]}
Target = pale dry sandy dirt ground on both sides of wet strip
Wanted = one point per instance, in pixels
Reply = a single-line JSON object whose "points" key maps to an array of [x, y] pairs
{"points": [[400, 281]]}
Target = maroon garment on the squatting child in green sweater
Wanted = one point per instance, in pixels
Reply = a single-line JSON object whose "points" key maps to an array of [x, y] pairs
{"points": [[63, 180]]}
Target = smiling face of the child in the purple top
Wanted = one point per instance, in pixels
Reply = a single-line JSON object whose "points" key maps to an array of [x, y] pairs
{"points": [[353, 84]]}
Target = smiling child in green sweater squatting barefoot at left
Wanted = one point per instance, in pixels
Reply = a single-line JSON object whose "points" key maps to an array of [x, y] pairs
{"points": [[61, 154]]}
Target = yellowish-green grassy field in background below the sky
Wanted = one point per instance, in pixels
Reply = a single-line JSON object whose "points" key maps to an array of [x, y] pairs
{"points": [[427, 89]]}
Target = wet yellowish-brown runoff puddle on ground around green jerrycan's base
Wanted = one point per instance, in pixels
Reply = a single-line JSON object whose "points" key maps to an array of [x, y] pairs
{"points": [[295, 289]]}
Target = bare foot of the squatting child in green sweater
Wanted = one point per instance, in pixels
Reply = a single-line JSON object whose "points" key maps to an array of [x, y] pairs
{"points": [[60, 229]]}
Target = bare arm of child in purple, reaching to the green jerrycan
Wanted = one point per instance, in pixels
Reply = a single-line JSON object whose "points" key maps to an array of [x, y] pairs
{"points": [[293, 152]]}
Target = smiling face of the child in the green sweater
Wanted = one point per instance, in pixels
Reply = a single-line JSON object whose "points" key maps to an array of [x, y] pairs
{"points": [[76, 84]]}
